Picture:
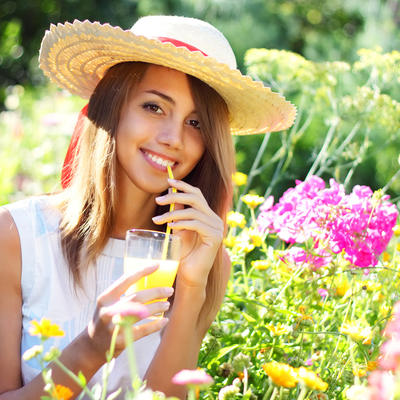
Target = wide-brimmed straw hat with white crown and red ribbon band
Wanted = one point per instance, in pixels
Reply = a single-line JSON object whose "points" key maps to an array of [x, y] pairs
{"points": [[76, 56]]}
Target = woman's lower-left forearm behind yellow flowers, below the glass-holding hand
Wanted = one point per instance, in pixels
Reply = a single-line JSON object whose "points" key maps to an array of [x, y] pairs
{"points": [[78, 356]]}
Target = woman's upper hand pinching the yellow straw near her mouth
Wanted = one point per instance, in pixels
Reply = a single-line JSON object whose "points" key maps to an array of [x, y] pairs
{"points": [[200, 228]]}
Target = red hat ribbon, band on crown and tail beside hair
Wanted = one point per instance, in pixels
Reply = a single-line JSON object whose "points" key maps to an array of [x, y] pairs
{"points": [[66, 172]]}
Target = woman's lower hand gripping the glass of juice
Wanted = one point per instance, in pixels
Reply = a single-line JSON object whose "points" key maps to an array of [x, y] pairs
{"points": [[110, 303]]}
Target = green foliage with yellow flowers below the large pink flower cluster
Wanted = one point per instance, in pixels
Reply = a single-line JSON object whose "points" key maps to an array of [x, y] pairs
{"points": [[273, 311]]}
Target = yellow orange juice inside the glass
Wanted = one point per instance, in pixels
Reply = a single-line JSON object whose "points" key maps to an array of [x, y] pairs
{"points": [[164, 276]]}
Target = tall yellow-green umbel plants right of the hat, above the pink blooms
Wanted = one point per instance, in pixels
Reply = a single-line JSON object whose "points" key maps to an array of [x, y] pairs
{"points": [[347, 124]]}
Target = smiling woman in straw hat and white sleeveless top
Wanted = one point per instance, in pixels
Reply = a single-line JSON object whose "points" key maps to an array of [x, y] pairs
{"points": [[165, 93]]}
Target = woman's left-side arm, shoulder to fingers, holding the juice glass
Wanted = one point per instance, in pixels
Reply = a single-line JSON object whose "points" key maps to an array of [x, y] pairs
{"points": [[87, 352]]}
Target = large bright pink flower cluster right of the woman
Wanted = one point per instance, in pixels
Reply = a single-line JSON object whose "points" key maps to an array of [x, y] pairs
{"points": [[359, 224]]}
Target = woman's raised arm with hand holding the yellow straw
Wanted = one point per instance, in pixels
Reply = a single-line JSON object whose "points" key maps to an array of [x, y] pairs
{"points": [[183, 335]]}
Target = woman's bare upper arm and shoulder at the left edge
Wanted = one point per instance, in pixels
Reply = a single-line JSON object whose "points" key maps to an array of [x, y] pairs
{"points": [[10, 303]]}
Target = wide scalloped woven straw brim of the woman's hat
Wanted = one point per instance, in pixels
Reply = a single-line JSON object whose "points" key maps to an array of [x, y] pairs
{"points": [[76, 56]]}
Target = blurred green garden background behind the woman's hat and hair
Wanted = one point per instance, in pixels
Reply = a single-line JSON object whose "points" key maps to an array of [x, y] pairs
{"points": [[348, 115]]}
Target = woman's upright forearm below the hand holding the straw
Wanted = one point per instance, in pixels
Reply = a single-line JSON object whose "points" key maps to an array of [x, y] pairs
{"points": [[180, 343]]}
